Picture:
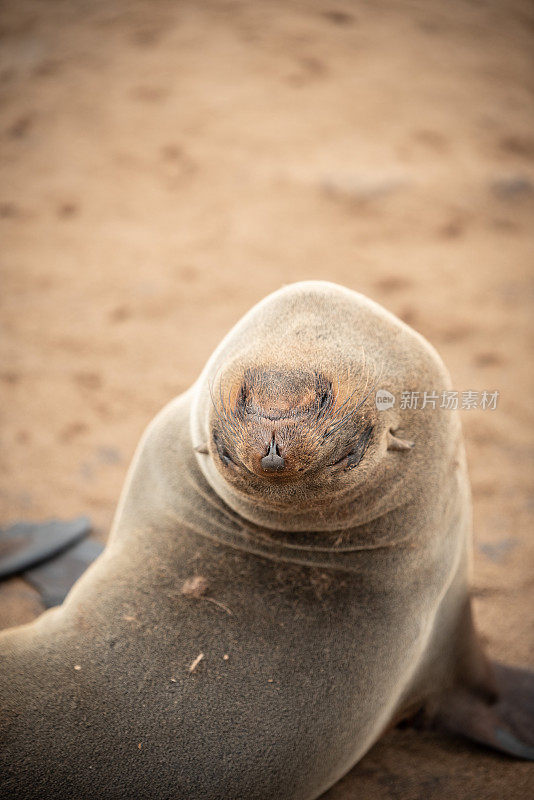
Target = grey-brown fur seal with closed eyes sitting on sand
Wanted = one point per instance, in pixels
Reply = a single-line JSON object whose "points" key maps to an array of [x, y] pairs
{"points": [[286, 577]]}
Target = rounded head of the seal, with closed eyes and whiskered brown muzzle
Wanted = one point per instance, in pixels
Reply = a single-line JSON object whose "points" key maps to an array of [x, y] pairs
{"points": [[292, 426]]}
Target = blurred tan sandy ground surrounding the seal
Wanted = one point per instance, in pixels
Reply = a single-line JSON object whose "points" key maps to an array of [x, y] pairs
{"points": [[166, 164]]}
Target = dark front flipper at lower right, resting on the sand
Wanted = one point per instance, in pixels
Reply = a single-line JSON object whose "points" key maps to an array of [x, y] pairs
{"points": [[504, 722]]}
